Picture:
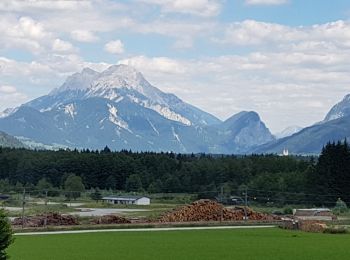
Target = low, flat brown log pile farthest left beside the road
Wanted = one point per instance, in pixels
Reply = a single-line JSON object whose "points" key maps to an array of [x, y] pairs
{"points": [[51, 219]]}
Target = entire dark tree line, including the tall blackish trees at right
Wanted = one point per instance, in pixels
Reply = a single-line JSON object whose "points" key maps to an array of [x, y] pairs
{"points": [[287, 179]]}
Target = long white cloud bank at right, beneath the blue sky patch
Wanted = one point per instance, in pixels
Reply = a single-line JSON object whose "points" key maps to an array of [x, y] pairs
{"points": [[251, 32]]}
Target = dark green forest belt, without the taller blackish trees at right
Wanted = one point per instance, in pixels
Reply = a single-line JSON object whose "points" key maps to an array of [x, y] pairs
{"points": [[163, 172]]}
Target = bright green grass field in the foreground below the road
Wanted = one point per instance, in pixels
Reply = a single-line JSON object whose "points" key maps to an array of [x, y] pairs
{"points": [[248, 244]]}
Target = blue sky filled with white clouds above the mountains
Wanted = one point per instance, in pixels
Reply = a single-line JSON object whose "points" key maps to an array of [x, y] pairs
{"points": [[288, 60]]}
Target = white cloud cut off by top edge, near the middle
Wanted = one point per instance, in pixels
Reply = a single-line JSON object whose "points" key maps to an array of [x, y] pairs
{"points": [[205, 8]]}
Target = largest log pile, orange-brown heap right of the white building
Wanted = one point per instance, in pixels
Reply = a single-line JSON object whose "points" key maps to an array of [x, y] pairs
{"points": [[208, 210]]}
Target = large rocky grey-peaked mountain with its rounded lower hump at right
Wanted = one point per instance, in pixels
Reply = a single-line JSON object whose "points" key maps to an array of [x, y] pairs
{"points": [[118, 107]]}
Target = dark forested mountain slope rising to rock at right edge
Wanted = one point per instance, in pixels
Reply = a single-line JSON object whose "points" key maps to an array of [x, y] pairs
{"points": [[310, 140]]}
